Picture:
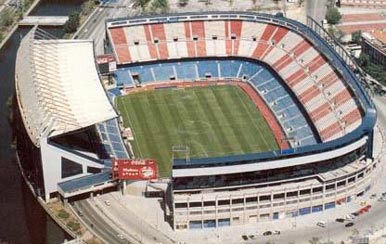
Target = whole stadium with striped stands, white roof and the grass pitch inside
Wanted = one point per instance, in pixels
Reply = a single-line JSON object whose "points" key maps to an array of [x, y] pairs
{"points": [[251, 117]]}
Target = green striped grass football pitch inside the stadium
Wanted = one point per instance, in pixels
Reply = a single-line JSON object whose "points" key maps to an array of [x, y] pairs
{"points": [[210, 121]]}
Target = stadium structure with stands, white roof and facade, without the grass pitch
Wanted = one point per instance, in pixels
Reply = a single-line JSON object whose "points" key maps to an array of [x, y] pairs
{"points": [[321, 117]]}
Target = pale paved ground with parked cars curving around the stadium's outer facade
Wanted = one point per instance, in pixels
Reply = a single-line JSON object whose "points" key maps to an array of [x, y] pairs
{"points": [[149, 210]]}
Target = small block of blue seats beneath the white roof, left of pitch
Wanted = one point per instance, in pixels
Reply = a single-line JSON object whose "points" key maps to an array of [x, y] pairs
{"points": [[112, 140]]}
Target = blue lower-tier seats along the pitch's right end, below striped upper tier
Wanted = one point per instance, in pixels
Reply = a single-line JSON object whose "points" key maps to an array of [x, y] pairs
{"points": [[289, 115]]}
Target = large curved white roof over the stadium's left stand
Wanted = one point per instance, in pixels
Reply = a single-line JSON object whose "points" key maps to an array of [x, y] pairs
{"points": [[58, 86]]}
